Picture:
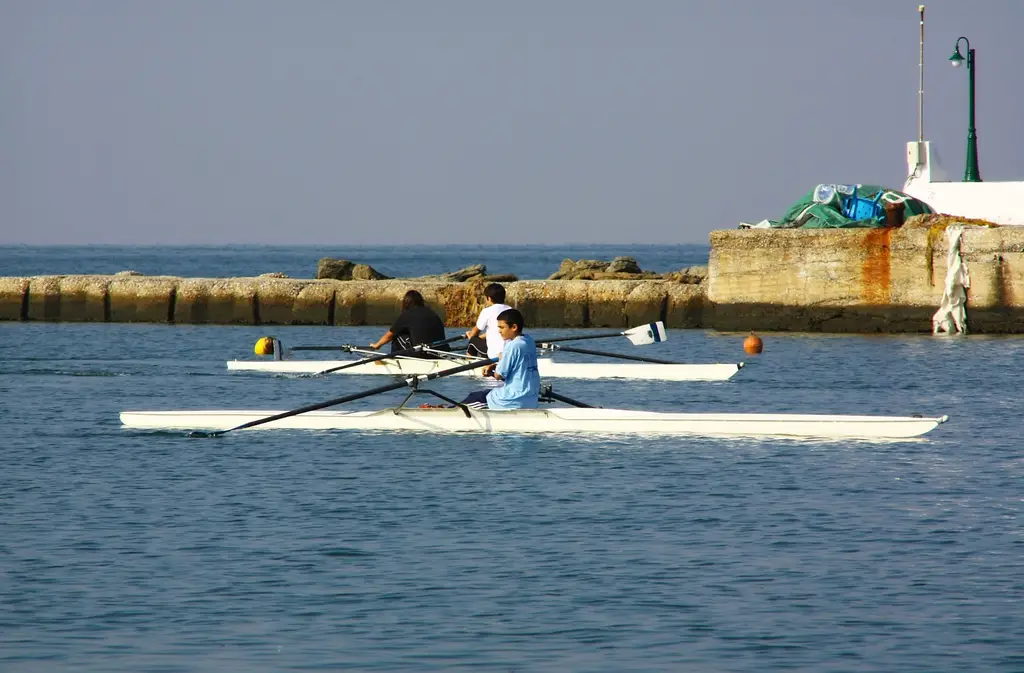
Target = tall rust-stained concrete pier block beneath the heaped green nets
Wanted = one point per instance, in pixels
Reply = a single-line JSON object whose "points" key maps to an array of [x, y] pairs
{"points": [[876, 280]]}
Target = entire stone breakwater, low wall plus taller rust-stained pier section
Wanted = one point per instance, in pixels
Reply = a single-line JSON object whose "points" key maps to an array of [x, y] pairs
{"points": [[884, 280]]}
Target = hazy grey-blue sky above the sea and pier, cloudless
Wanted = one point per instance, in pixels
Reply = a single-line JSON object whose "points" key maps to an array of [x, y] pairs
{"points": [[343, 122]]}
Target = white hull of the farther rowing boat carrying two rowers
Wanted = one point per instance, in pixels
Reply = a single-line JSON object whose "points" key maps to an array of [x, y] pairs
{"points": [[547, 368]]}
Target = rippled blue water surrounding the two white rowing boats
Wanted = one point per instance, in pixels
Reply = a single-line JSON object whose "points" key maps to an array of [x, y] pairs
{"points": [[131, 552]]}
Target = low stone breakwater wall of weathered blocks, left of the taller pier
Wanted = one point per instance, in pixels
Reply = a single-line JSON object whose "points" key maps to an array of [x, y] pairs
{"points": [[290, 302]]}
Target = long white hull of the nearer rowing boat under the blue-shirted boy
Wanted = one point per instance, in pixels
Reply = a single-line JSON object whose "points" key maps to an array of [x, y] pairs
{"points": [[575, 422]]}
